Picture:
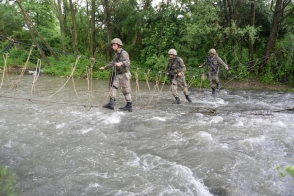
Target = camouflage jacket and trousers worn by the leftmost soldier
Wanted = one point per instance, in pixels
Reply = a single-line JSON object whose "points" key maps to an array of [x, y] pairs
{"points": [[120, 75]]}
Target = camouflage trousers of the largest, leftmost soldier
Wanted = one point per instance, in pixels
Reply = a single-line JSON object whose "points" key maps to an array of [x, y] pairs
{"points": [[122, 80]]}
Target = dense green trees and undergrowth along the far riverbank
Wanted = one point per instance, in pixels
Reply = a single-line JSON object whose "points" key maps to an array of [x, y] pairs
{"points": [[255, 38]]}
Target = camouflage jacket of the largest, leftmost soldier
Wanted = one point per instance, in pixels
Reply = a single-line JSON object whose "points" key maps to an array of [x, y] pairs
{"points": [[123, 57]]}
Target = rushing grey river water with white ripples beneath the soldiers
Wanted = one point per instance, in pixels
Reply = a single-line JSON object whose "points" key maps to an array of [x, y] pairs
{"points": [[229, 144]]}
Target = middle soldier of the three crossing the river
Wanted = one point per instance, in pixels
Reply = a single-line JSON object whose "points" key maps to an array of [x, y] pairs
{"points": [[176, 71]]}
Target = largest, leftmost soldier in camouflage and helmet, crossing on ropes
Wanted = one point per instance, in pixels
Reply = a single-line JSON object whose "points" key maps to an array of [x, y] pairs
{"points": [[120, 75]]}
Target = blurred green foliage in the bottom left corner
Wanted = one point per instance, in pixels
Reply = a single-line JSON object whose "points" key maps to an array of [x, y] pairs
{"points": [[7, 182]]}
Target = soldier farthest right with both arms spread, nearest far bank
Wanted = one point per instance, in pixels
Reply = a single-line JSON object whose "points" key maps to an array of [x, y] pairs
{"points": [[212, 62]]}
